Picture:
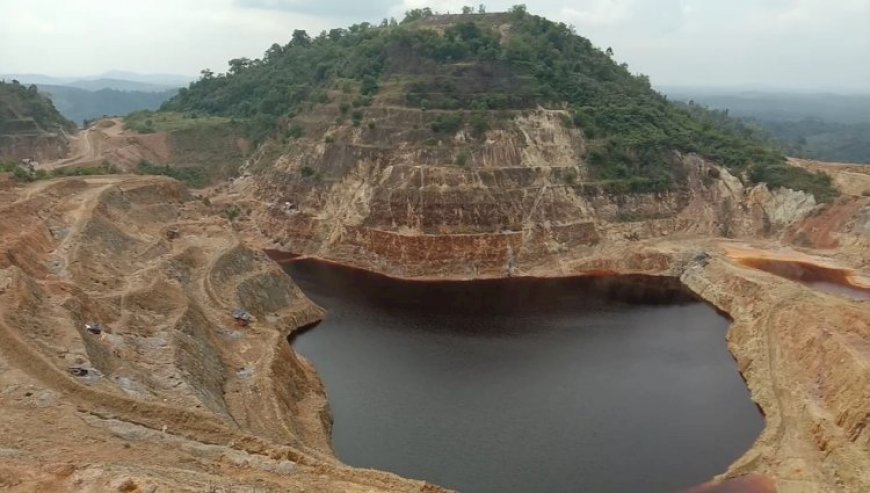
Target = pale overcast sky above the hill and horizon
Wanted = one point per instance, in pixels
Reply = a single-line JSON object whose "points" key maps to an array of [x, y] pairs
{"points": [[796, 44]]}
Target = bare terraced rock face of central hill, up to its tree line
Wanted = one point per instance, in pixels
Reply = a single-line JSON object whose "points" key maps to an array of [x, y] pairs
{"points": [[381, 198]]}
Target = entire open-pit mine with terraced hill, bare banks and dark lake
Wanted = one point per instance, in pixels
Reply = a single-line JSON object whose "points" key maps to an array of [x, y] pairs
{"points": [[464, 252]]}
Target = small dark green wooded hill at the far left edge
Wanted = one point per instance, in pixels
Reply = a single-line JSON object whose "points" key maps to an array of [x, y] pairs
{"points": [[23, 110]]}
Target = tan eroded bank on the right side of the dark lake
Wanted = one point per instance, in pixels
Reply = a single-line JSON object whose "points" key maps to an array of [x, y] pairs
{"points": [[800, 354]]}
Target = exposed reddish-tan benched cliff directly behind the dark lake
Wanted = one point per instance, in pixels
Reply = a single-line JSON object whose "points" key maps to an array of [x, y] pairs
{"points": [[370, 207]]}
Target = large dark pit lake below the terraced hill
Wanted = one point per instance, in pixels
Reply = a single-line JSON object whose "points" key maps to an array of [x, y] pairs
{"points": [[527, 385]]}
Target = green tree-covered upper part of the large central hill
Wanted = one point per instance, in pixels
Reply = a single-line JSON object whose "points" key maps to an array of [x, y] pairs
{"points": [[476, 67]]}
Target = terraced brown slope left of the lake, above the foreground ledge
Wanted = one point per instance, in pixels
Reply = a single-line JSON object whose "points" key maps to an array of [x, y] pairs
{"points": [[99, 252]]}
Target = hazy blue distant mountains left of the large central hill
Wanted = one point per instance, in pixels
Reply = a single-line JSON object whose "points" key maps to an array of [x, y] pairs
{"points": [[110, 94]]}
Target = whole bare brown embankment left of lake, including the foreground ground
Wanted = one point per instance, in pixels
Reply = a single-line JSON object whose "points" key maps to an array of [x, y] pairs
{"points": [[169, 393]]}
